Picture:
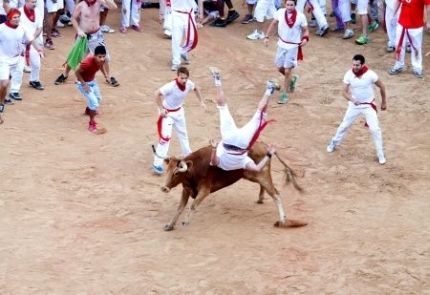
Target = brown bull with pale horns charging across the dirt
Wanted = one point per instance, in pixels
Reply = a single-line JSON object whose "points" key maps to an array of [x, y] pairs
{"points": [[199, 179]]}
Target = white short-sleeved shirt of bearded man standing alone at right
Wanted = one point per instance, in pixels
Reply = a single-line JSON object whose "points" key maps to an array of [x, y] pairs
{"points": [[361, 88]]}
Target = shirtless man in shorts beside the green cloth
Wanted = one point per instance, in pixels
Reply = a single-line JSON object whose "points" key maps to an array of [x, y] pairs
{"points": [[86, 22]]}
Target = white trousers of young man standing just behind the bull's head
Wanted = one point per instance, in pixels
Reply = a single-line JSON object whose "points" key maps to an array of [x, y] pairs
{"points": [[176, 121]]}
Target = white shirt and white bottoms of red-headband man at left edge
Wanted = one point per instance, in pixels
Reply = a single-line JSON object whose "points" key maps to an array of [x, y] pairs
{"points": [[12, 45]]}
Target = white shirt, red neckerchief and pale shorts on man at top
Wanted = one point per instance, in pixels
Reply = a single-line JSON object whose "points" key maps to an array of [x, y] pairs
{"points": [[289, 37]]}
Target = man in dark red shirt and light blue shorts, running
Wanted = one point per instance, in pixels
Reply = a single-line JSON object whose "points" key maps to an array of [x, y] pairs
{"points": [[88, 86]]}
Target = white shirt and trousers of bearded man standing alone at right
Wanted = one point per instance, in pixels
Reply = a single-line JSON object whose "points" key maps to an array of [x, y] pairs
{"points": [[362, 90]]}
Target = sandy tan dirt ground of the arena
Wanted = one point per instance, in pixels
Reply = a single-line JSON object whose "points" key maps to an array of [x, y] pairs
{"points": [[83, 214]]}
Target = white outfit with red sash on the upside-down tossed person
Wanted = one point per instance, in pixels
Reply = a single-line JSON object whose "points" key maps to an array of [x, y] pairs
{"points": [[232, 151]]}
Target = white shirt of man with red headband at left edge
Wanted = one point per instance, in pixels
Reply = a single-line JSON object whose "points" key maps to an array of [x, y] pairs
{"points": [[12, 41]]}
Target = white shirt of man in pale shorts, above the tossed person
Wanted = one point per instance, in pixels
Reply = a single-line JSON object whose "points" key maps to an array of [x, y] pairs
{"points": [[286, 33]]}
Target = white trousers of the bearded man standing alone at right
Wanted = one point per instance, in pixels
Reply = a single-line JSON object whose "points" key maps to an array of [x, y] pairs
{"points": [[352, 113]]}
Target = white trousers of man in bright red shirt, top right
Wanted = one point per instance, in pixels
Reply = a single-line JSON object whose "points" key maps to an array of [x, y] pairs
{"points": [[416, 36]]}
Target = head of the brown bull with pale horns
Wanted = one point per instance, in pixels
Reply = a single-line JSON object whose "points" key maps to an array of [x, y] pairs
{"points": [[176, 172]]}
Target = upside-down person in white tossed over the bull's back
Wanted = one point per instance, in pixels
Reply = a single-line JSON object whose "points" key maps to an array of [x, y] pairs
{"points": [[231, 152]]}
